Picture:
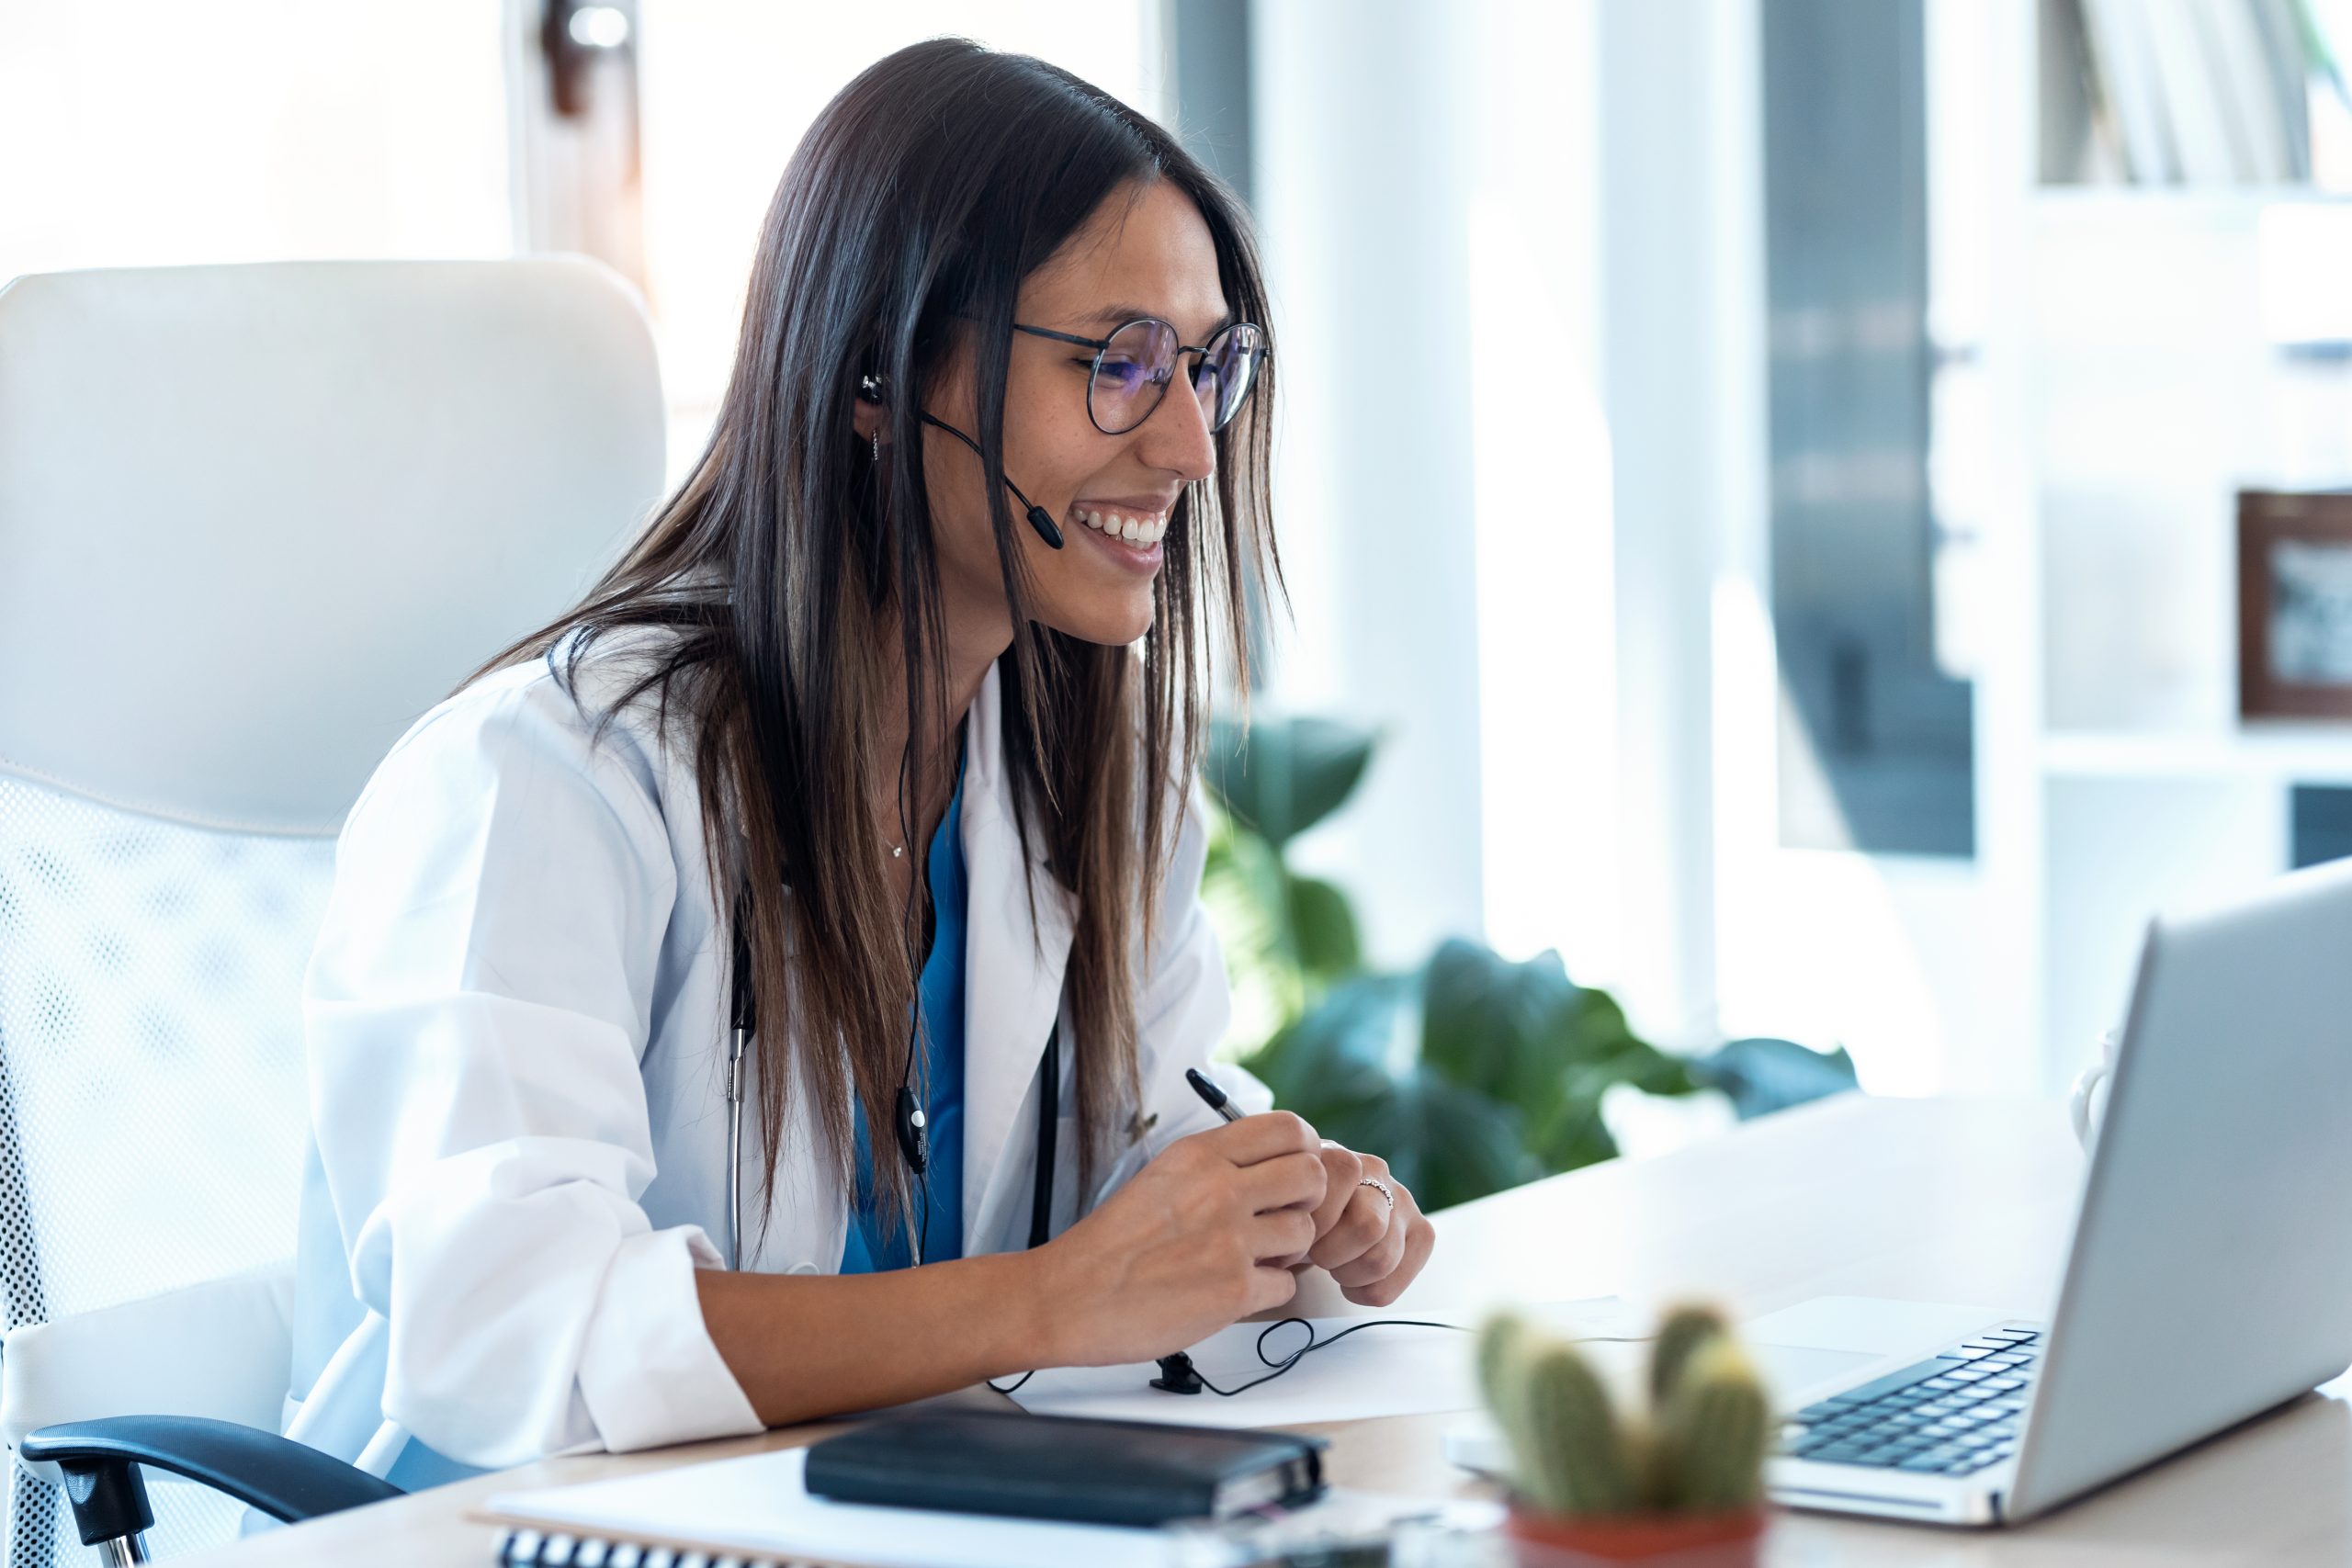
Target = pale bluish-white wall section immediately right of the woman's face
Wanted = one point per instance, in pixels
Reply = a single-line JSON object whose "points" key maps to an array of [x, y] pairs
{"points": [[1361, 116]]}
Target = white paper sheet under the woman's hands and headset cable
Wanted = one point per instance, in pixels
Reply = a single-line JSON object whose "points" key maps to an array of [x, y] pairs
{"points": [[1379, 1372]]}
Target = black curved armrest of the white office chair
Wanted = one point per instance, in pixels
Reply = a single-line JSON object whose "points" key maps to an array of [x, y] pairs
{"points": [[276, 1475]]}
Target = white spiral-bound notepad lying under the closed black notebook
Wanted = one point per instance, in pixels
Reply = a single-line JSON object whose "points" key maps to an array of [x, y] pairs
{"points": [[759, 1503]]}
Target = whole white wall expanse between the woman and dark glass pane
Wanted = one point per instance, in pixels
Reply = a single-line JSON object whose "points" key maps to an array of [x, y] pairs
{"points": [[1530, 631]]}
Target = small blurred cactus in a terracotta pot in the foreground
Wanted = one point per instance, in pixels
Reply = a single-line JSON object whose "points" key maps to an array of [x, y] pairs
{"points": [[1678, 1480]]}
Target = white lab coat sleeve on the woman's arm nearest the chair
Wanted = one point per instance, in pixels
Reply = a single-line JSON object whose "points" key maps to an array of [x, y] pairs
{"points": [[476, 1012]]}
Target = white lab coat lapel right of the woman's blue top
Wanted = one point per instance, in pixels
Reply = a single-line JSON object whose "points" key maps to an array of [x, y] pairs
{"points": [[1013, 977]]}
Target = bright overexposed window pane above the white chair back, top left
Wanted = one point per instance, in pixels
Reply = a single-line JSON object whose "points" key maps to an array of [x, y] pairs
{"points": [[152, 133]]}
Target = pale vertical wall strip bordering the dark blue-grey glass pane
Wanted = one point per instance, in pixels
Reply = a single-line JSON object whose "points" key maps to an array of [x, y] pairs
{"points": [[1683, 373]]}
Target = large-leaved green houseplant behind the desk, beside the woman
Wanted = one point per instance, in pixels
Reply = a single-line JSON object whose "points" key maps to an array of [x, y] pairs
{"points": [[1471, 1073]]}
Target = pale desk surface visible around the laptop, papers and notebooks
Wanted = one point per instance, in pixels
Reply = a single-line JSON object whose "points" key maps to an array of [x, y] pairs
{"points": [[1925, 1200]]}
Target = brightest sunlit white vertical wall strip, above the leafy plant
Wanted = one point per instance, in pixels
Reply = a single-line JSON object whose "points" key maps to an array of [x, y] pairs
{"points": [[1546, 549]]}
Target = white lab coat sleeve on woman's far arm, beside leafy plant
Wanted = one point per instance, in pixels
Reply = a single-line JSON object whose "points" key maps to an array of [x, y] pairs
{"points": [[1187, 1005]]}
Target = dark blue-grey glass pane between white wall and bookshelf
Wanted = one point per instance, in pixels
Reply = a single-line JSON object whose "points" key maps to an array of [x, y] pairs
{"points": [[1876, 737]]}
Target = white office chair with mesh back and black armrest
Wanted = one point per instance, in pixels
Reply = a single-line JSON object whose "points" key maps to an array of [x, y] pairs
{"points": [[253, 523]]}
